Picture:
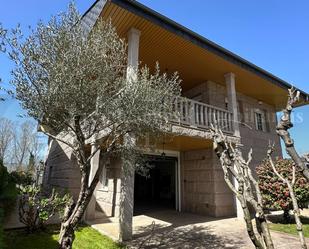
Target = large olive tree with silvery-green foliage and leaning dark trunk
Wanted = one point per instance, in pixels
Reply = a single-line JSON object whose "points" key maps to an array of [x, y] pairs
{"points": [[77, 88]]}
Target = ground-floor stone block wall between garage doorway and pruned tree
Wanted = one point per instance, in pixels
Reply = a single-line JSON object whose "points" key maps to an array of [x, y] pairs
{"points": [[204, 190]]}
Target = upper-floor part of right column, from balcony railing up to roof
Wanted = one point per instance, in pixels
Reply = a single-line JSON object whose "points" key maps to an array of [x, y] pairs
{"points": [[232, 100]]}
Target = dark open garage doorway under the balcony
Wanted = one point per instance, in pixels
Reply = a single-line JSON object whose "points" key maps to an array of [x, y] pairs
{"points": [[158, 190]]}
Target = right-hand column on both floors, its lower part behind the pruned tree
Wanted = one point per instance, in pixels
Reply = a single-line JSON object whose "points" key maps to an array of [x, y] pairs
{"points": [[232, 106]]}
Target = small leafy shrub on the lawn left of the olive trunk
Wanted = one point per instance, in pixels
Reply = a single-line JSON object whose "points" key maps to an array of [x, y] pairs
{"points": [[36, 208]]}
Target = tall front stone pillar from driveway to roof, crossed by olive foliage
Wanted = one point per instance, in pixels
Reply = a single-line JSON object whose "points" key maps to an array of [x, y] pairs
{"points": [[127, 169]]}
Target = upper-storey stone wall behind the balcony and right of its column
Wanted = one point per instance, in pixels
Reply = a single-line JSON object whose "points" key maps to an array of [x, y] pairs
{"points": [[216, 95]]}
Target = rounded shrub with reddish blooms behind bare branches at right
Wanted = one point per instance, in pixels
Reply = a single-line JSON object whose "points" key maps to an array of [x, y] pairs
{"points": [[275, 193]]}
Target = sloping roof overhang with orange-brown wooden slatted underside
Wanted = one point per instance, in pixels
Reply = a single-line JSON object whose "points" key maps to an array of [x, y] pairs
{"points": [[196, 58]]}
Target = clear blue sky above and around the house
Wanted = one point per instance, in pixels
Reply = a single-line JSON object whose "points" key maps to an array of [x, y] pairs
{"points": [[272, 34]]}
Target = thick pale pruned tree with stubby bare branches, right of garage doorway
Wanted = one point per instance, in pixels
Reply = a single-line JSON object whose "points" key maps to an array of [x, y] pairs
{"points": [[240, 180]]}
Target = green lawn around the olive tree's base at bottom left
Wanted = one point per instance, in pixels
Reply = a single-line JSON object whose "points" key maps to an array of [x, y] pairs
{"points": [[86, 238]]}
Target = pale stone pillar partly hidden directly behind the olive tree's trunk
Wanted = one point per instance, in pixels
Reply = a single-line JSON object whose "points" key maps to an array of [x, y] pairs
{"points": [[95, 160]]}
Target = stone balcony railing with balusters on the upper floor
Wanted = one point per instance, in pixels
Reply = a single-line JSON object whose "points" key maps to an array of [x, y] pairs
{"points": [[199, 115]]}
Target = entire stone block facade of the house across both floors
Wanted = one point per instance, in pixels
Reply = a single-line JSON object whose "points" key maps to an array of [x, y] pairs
{"points": [[203, 189]]}
